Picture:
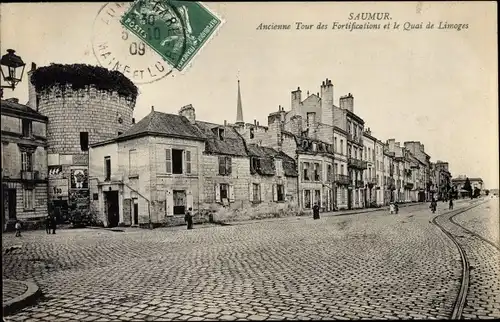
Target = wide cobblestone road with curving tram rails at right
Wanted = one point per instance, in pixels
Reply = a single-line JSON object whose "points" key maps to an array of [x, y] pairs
{"points": [[365, 266]]}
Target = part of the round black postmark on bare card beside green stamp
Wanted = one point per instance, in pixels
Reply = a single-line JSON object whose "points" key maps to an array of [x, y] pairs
{"points": [[116, 48]]}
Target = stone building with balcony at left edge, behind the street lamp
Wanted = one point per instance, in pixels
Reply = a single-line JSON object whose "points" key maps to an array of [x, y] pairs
{"points": [[24, 163]]}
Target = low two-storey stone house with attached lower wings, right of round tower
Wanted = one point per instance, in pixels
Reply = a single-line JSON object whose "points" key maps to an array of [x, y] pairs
{"points": [[167, 163]]}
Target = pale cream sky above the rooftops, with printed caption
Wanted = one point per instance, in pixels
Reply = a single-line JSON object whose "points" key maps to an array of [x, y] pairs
{"points": [[439, 87]]}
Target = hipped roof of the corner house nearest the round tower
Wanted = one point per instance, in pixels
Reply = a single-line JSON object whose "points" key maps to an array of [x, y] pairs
{"points": [[163, 124]]}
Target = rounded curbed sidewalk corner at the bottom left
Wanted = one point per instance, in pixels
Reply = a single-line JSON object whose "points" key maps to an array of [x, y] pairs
{"points": [[18, 294]]}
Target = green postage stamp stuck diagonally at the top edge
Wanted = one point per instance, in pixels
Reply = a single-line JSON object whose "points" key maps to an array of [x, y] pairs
{"points": [[176, 30]]}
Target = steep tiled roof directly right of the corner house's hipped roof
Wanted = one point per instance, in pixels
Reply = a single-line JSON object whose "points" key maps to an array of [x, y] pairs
{"points": [[231, 144]]}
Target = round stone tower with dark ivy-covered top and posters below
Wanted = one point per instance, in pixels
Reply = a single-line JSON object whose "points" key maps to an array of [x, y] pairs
{"points": [[84, 105]]}
